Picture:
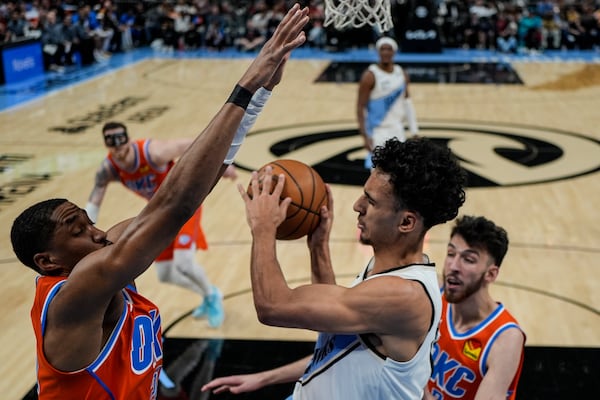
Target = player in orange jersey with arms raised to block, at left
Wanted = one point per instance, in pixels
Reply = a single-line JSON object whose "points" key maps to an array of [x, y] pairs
{"points": [[96, 337]]}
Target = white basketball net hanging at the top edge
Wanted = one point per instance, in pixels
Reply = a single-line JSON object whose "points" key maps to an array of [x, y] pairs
{"points": [[344, 14]]}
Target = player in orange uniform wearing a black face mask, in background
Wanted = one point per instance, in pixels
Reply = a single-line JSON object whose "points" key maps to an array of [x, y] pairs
{"points": [[141, 166]]}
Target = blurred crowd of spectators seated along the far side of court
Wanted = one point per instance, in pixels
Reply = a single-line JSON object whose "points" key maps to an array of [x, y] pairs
{"points": [[85, 32]]}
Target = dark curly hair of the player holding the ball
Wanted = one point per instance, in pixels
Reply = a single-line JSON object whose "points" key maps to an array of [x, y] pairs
{"points": [[425, 176]]}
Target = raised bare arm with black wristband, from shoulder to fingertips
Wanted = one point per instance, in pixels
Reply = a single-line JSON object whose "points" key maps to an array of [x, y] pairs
{"points": [[78, 310]]}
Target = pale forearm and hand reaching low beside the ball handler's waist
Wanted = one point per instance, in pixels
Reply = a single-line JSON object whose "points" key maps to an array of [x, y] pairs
{"points": [[251, 382]]}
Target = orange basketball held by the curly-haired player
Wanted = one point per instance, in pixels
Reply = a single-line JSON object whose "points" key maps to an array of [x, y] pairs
{"points": [[308, 193]]}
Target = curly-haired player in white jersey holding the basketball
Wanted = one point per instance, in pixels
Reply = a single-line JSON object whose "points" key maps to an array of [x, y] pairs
{"points": [[375, 337]]}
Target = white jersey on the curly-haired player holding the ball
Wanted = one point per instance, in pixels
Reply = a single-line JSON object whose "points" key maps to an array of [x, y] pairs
{"points": [[344, 367]]}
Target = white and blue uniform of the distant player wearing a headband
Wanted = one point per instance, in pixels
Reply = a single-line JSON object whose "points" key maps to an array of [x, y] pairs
{"points": [[385, 111]]}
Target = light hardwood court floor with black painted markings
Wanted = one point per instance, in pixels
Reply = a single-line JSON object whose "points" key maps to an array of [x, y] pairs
{"points": [[51, 146]]}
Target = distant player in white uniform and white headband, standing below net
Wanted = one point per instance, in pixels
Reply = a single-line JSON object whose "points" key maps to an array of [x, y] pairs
{"points": [[384, 104]]}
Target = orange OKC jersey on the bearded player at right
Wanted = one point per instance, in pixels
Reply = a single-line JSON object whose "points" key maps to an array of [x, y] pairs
{"points": [[460, 359]]}
